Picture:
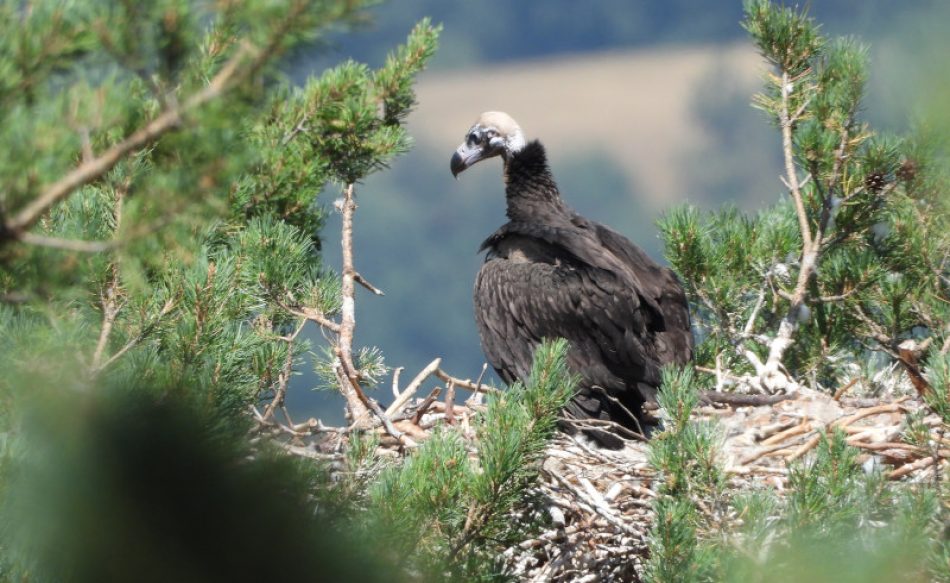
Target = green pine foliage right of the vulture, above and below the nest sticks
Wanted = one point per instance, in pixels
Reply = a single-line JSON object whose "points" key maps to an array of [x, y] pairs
{"points": [[850, 264]]}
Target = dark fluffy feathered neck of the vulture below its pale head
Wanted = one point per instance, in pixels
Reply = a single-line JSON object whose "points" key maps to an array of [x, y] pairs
{"points": [[529, 185]]}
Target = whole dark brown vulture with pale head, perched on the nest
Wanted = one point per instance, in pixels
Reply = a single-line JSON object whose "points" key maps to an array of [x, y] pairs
{"points": [[549, 272]]}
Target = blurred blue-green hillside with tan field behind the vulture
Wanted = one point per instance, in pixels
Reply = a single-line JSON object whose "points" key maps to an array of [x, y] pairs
{"points": [[642, 105]]}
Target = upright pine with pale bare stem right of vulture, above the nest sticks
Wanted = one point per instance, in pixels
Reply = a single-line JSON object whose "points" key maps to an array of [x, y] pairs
{"points": [[851, 261]]}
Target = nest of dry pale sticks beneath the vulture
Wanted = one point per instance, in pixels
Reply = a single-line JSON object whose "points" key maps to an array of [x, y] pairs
{"points": [[600, 501]]}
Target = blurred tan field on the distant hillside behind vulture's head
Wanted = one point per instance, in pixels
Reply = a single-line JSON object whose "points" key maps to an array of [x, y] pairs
{"points": [[636, 105]]}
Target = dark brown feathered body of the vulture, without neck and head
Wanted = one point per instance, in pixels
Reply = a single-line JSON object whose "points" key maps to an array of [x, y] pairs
{"points": [[623, 315]]}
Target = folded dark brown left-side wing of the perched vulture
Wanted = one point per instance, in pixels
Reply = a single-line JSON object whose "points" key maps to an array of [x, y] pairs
{"points": [[569, 295]]}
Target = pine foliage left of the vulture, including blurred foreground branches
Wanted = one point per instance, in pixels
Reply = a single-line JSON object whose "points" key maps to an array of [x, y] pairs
{"points": [[159, 258]]}
